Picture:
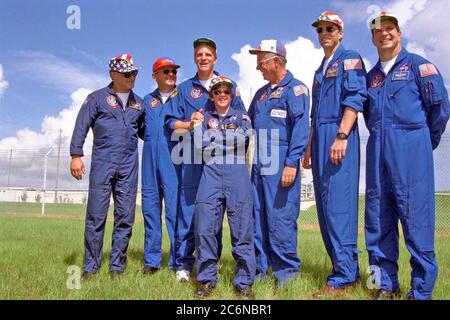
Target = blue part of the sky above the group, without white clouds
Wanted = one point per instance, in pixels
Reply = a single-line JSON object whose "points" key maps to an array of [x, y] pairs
{"points": [[146, 29]]}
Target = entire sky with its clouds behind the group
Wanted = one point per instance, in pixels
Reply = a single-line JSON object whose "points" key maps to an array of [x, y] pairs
{"points": [[46, 69]]}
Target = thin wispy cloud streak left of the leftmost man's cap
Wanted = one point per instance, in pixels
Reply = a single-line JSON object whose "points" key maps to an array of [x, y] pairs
{"points": [[58, 73]]}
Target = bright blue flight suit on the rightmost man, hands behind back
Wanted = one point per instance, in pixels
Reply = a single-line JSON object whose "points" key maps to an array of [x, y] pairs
{"points": [[406, 115]]}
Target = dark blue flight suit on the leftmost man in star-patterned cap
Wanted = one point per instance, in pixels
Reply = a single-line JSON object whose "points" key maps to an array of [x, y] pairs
{"points": [[114, 169]]}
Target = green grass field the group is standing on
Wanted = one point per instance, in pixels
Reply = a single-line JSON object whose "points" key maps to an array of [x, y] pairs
{"points": [[36, 252]]}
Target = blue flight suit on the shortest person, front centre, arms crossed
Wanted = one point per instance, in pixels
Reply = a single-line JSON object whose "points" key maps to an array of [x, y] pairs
{"points": [[224, 184]]}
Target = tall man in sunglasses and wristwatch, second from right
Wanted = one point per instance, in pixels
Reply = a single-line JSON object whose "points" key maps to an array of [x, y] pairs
{"points": [[339, 93]]}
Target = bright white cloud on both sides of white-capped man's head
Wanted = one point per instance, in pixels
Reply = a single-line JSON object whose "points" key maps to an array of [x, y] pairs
{"points": [[303, 59]]}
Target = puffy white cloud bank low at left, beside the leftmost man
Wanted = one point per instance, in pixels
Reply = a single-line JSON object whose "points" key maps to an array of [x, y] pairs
{"points": [[29, 148]]}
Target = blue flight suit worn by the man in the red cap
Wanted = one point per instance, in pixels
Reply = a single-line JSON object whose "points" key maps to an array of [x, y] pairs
{"points": [[160, 177]]}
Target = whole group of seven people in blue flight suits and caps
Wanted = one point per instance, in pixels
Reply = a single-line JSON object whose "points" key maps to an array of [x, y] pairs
{"points": [[196, 140]]}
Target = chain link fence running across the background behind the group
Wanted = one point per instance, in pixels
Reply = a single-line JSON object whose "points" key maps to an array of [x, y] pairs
{"points": [[28, 176]]}
